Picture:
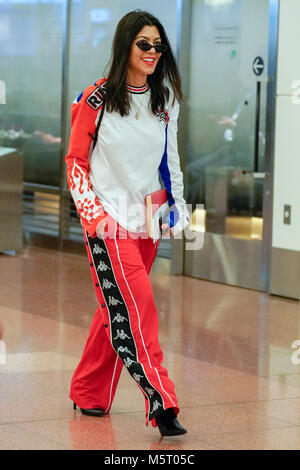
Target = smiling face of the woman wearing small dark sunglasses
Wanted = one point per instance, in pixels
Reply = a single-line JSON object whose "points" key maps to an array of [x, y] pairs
{"points": [[138, 66]]}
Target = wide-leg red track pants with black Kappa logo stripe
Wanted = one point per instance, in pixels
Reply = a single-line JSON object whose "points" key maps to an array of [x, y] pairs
{"points": [[124, 329]]}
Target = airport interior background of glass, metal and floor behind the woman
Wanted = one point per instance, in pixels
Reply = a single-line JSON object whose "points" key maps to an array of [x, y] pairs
{"points": [[227, 292]]}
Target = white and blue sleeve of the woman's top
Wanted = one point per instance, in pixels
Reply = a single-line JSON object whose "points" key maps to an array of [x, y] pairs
{"points": [[171, 173]]}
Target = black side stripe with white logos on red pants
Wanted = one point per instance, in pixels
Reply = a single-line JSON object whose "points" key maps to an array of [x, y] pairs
{"points": [[121, 334]]}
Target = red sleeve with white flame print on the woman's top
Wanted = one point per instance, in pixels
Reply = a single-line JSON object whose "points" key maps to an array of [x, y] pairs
{"points": [[83, 126]]}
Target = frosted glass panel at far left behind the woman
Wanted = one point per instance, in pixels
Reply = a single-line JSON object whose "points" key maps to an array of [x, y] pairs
{"points": [[31, 67]]}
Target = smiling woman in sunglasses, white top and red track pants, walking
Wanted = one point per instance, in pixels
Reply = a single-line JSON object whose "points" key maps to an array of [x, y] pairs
{"points": [[109, 173]]}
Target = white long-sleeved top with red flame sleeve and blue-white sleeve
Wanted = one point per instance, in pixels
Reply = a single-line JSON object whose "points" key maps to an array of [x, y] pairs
{"points": [[129, 157]]}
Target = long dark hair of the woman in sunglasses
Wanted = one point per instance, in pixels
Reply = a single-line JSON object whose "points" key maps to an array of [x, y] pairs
{"points": [[117, 95]]}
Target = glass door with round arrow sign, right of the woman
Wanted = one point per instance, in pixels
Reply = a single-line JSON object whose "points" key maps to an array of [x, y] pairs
{"points": [[226, 134]]}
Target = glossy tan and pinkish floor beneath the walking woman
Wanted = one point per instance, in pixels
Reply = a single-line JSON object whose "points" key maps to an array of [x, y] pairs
{"points": [[228, 350]]}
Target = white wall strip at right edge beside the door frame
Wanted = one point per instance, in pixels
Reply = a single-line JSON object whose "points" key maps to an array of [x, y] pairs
{"points": [[287, 140]]}
